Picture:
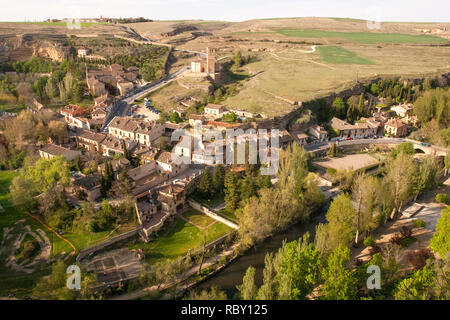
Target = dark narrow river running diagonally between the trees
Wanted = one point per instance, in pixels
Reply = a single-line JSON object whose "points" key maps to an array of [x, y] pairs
{"points": [[232, 275]]}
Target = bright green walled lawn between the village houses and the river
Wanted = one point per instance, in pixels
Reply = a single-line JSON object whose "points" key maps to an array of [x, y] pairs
{"points": [[178, 239]]}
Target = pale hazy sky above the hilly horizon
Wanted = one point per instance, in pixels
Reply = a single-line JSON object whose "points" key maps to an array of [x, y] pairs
{"points": [[229, 10]]}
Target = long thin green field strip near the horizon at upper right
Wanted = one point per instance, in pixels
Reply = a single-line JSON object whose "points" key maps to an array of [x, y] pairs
{"points": [[362, 37]]}
